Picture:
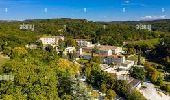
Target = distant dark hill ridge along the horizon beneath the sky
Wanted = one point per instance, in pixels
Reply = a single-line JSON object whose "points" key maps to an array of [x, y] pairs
{"points": [[157, 25]]}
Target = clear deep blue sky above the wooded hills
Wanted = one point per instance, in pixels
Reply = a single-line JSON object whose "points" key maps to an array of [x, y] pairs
{"points": [[94, 10]]}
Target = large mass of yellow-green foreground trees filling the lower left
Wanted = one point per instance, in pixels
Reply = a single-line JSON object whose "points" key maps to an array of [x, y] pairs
{"points": [[37, 77]]}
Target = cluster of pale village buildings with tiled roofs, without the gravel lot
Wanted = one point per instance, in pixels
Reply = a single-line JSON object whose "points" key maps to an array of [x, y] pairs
{"points": [[112, 58]]}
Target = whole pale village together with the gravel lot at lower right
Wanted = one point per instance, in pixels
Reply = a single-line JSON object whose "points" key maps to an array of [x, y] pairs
{"points": [[113, 60]]}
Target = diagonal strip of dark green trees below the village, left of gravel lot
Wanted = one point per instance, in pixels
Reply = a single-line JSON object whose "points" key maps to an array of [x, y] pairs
{"points": [[109, 84]]}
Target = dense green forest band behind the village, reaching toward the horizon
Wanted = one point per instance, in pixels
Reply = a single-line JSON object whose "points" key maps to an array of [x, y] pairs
{"points": [[113, 34]]}
